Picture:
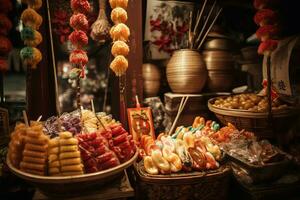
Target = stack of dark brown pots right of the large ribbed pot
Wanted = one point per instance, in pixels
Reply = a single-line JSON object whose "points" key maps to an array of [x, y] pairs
{"points": [[219, 63]]}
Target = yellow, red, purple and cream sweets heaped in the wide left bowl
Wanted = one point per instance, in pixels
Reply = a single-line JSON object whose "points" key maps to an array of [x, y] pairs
{"points": [[72, 144]]}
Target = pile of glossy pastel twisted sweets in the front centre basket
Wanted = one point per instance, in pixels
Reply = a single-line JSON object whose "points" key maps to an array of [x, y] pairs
{"points": [[189, 148]]}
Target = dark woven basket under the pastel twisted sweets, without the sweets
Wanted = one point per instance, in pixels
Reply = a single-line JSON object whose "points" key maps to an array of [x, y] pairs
{"points": [[212, 185]]}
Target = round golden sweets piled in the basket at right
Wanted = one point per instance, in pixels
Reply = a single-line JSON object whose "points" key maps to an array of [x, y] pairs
{"points": [[251, 102]]}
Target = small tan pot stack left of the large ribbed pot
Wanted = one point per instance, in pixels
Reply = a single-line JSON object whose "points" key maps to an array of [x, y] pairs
{"points": [[151, 76]]}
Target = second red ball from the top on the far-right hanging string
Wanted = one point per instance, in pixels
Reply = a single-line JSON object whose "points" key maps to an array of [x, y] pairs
{"points": [[265, 17]]}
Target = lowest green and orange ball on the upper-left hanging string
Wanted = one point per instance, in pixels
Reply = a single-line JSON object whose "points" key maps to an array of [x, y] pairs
{"points": [[31, 56]]}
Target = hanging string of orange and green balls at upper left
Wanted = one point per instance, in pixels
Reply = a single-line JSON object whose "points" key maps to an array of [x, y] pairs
{"points": [[30, 55]]}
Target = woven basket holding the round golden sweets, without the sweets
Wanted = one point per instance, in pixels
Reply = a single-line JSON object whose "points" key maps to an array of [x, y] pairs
{"points": [[255, 121]]}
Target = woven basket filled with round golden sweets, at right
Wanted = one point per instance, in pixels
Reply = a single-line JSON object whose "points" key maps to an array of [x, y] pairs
{"points": [[249, 112]]}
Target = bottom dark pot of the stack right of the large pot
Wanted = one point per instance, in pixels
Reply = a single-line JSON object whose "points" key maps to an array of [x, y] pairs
{"points": [[220, 81]]}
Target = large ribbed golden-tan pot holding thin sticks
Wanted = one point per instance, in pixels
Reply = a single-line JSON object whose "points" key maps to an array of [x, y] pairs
{"points": [[186, 71]]}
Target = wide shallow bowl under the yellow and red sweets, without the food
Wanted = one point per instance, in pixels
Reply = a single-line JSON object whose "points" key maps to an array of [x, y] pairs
{"points": [[71, 185]]}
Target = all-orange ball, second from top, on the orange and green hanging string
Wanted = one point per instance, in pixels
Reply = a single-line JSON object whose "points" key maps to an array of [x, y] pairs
{"points": [[31, 18]]}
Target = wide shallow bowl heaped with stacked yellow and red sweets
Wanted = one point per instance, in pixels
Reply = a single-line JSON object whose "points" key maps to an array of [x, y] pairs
{"points": [[65, 163]]}
